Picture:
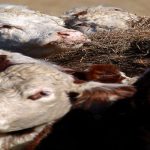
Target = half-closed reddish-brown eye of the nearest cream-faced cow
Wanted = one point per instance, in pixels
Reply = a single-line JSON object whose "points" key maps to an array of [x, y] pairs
{"points": [[38, 95]]}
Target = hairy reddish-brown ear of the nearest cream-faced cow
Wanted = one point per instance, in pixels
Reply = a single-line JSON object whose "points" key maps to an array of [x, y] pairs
{"points": [[98, 97]]}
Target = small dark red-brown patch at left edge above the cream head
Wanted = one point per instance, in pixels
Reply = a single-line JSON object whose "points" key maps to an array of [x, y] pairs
{"points": [[4, 63]]}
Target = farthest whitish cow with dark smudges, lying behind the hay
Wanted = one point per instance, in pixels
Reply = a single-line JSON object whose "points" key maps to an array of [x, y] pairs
{"points": [[99, 18]]}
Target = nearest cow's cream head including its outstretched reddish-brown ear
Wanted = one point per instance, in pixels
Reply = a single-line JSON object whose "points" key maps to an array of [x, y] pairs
{"points": [[35, 94]]}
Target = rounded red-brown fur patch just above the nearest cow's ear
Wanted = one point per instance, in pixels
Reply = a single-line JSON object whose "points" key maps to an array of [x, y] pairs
{"points": [[105, 73]]}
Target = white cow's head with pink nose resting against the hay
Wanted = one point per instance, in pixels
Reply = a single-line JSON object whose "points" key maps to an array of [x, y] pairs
{"points": [[35, 34]]}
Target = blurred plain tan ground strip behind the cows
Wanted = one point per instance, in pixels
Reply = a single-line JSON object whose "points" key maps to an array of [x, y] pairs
{"points": [[57, 7]]}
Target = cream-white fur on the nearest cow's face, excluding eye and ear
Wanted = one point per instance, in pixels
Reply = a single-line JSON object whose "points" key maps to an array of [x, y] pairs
{"points": [[20, 81]]}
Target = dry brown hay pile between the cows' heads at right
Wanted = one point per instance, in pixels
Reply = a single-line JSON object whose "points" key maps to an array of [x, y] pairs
{"points": [[129, 49]]}
